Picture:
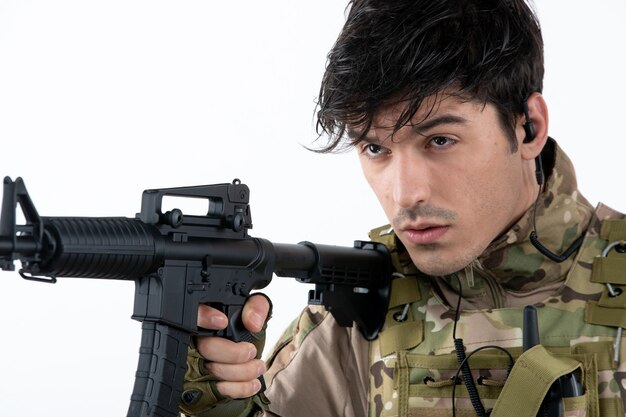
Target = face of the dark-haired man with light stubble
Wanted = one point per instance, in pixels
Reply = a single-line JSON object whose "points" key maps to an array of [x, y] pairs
{"points": [[448, 182]]}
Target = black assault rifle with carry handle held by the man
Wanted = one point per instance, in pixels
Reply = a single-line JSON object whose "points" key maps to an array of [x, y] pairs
{"points": [[180, 261]]}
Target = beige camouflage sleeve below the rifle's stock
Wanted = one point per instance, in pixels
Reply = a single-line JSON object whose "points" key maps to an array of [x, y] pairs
{"points": [[318, 368]]}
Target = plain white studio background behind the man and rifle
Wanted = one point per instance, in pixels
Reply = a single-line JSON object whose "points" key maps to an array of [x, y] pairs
{"points": [[100, 100]]}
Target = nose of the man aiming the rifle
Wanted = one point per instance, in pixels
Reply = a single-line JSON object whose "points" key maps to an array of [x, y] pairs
{"points": [[411, 181]]}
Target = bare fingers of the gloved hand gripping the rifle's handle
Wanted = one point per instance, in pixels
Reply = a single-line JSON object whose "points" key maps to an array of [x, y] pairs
{"points": [[234, 364]]}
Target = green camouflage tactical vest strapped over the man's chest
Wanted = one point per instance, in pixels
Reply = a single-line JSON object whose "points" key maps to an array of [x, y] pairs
{"points": [[414, 370]]}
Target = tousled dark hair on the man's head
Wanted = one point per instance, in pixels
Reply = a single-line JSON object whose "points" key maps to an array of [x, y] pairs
{"points": [[392, 51]]}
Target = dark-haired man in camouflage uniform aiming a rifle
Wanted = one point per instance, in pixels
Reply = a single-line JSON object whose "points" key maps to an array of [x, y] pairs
{"points": [[442, 101]]}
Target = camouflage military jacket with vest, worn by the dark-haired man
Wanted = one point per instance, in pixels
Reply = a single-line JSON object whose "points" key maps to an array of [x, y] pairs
{"points": [[319, 368]]}
